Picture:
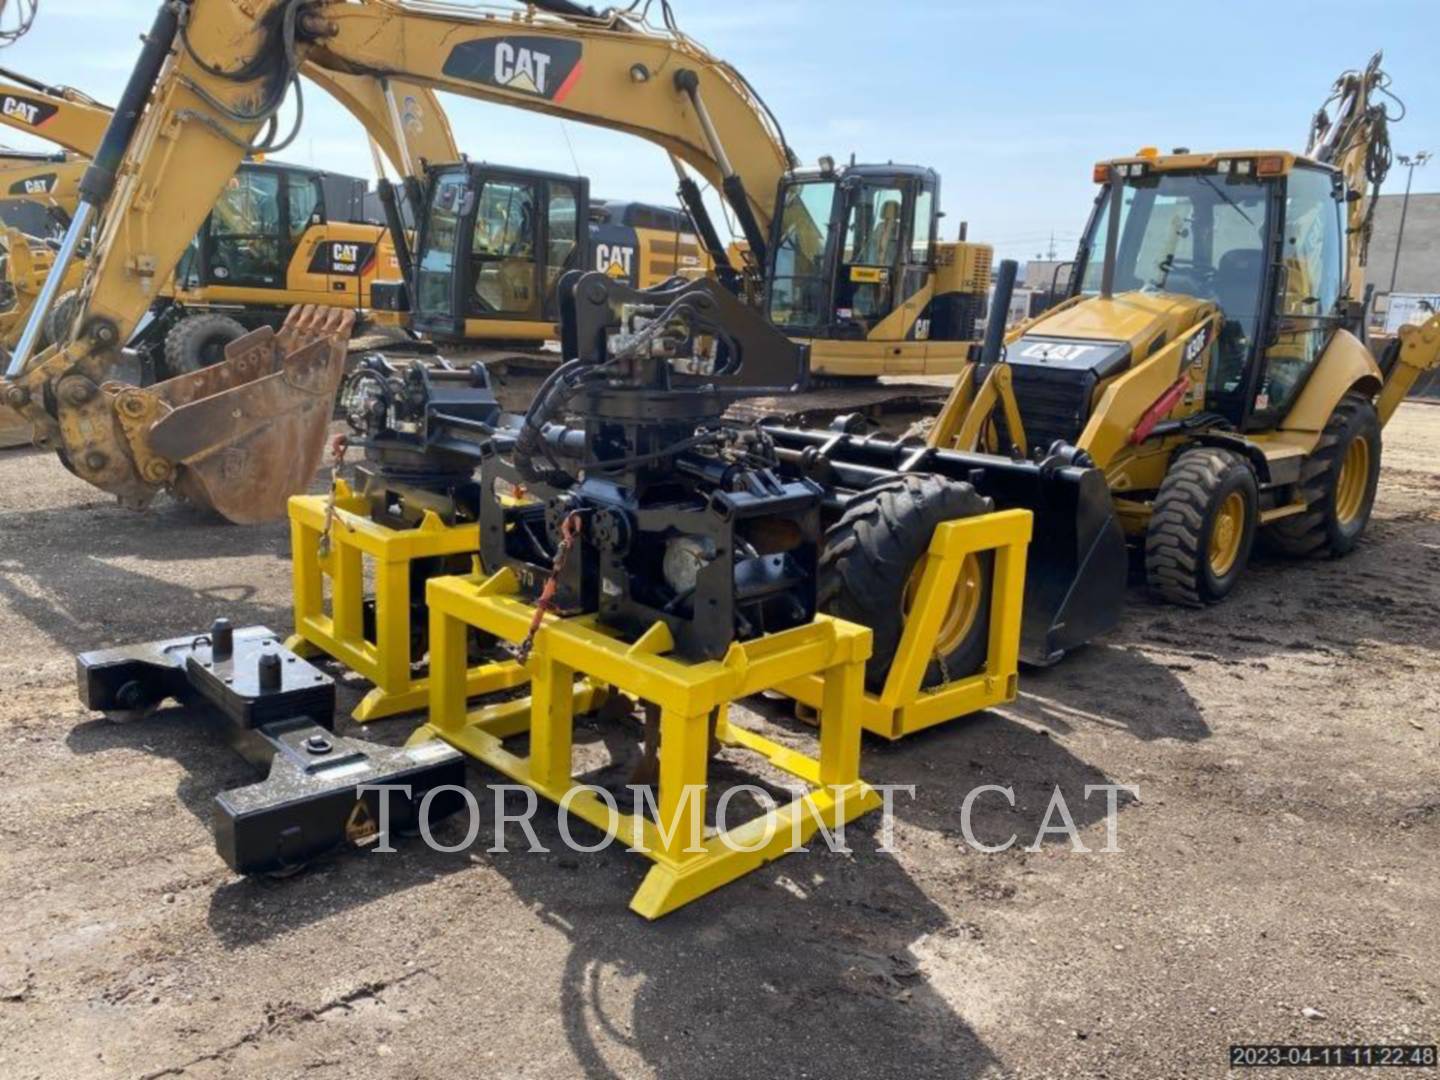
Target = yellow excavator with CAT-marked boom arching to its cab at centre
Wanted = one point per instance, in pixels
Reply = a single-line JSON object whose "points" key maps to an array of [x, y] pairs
{"points": [[881, 286]]}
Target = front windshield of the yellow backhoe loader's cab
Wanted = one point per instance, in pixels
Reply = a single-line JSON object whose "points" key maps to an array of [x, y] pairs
{"points": [[1196, 234]]}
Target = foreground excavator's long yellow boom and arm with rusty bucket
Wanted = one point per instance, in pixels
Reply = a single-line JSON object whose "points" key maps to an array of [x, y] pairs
{"points": [[212, 77]]}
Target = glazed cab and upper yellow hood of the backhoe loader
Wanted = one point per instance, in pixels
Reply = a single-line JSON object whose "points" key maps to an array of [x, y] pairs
{"points": [[1258, 235]]}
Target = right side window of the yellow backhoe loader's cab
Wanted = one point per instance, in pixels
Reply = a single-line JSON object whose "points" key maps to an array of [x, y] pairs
{"points": [[1313, 261]]}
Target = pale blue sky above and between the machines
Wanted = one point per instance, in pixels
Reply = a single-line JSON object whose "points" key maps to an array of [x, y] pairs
{"points": [[1012, 102]]}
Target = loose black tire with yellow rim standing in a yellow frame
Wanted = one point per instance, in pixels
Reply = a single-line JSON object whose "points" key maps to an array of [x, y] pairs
{"points": [[869, 574]]}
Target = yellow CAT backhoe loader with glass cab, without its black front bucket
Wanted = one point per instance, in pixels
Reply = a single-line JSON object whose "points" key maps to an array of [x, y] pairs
{"points": [[1210, 358]]}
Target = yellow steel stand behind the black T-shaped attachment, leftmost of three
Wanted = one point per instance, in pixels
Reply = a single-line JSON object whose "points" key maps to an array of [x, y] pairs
{"points": [[341, 634]]}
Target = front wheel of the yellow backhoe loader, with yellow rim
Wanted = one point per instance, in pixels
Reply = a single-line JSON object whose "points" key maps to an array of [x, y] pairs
{"points": [[1203, 528]]}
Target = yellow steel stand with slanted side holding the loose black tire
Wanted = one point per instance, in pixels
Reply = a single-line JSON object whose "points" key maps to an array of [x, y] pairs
{"points": [[902, 706]]}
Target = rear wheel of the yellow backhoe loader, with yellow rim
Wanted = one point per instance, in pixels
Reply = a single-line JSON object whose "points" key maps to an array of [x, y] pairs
{"points": [[1338, 483]]}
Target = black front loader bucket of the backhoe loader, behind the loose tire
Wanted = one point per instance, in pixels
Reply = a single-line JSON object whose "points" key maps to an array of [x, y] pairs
{"points": [[1076, 567]]}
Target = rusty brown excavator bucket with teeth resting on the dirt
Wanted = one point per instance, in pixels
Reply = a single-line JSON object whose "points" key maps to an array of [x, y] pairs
{"points": [[250, 433]]}
